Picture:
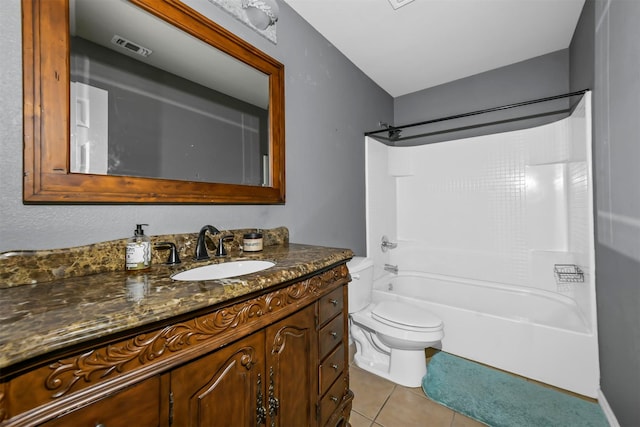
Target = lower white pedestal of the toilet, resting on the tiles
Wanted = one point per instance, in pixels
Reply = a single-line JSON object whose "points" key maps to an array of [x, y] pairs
{"points": [[403, 367]]}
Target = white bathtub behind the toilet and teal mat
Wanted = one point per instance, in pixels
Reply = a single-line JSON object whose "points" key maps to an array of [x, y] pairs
{"points": [[533, 333]]}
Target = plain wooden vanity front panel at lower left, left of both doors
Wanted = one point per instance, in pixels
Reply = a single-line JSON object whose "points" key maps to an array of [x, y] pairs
{"points": [[140, 403]]}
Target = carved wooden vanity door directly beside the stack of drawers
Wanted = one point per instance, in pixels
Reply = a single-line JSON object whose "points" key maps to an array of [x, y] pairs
{"points": [[291, 370]]}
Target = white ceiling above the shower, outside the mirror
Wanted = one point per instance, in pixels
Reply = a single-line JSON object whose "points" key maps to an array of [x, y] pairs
{"points": [[426, 43]]}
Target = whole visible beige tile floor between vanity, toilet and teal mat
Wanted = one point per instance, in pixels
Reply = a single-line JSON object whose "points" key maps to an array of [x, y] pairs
{"points": [[379, 402]]}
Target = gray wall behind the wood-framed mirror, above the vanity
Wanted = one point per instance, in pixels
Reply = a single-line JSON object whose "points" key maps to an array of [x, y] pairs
{"points": [[329, 104]]}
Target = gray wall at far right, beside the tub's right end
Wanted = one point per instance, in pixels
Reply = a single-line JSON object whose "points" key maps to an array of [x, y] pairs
{"points": [[617, 175]]}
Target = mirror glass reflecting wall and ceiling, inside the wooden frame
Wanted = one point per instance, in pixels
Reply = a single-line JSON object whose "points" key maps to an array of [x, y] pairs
{"points": [[148, 100]]}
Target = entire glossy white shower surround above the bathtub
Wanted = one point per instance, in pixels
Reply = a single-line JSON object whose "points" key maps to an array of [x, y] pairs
{"points": [[502, 208]]}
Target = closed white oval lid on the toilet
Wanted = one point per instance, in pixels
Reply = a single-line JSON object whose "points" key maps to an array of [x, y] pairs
{"points": [[405, 316]]}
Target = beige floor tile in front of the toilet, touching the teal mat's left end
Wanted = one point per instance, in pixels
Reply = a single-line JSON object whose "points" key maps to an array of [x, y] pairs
{"points": [[404, 408]]}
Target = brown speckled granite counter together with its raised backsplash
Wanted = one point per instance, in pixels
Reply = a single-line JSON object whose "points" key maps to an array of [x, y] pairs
{"points": [[98, 299]]}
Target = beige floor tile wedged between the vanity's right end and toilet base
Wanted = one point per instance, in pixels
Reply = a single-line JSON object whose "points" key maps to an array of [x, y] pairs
{"points": [[371, 391]]}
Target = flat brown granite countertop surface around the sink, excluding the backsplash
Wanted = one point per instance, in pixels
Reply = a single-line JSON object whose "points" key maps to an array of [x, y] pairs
{"points": [[38, 318]]}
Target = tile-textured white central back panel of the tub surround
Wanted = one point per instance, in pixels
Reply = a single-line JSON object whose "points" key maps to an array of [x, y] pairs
{"points": [[464, 209]]}
